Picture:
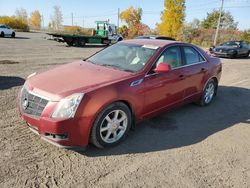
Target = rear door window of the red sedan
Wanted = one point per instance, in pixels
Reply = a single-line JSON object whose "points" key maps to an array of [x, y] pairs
{"points": [[192, 56]]}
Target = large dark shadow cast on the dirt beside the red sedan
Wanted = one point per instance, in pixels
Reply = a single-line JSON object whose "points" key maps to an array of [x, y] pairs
{"points": [[184, 126]]}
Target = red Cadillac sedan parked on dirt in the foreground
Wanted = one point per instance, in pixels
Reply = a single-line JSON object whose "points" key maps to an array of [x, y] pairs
{"points": [[101, 98]]}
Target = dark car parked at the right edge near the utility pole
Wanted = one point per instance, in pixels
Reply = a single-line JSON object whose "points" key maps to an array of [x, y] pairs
{"points": [[232, 49]]}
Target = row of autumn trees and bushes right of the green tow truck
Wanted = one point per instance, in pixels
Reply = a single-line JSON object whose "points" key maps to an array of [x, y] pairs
{"points": [[172, 24]]}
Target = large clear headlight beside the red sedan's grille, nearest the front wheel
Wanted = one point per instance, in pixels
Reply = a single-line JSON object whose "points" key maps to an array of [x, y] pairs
{"points": [[67, 107]]}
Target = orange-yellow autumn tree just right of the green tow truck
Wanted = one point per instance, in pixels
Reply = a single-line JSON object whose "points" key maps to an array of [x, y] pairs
{"points": [[132, 17]]}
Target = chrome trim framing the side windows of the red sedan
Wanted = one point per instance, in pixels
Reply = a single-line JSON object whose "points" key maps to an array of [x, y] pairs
{"points": [[183, 66]]}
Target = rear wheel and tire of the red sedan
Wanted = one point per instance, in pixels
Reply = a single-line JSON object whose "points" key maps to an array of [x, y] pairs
{"points": [[209, 92]]}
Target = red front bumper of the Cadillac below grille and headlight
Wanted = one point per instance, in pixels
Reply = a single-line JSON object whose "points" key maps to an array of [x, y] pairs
{"points": [[64, 133]]}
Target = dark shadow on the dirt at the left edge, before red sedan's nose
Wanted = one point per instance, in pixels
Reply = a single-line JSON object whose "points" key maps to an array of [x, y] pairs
{"points": [[7, 82]]}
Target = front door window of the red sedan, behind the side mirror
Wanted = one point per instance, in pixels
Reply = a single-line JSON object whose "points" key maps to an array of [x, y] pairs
{"points": [[171, 56]]}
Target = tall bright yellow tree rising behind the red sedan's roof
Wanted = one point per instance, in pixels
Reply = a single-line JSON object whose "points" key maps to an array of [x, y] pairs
{"points": [[172, 18]]}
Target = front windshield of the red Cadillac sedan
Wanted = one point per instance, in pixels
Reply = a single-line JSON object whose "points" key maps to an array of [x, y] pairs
{"points": [[126, 57]]}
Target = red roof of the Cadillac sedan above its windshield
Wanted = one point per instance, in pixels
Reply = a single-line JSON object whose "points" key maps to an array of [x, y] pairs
{"points": [[155, 42]]}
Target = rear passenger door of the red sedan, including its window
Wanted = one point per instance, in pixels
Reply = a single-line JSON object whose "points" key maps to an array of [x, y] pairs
{"points": [[195, 71]]}
